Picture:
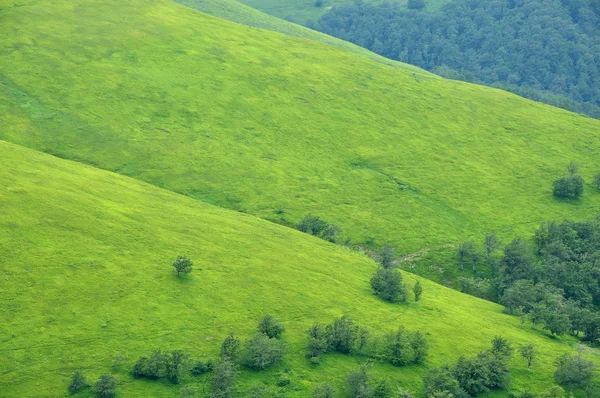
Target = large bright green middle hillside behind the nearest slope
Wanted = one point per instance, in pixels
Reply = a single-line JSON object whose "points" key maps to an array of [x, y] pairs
{"points": [[269, 124]]}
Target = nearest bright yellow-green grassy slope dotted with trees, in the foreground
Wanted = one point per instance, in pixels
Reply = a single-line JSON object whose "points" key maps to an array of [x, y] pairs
{"points": [[82, 248]]}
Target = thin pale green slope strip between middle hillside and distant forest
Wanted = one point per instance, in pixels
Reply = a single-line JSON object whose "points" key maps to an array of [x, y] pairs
{"points": [[237, 12]]}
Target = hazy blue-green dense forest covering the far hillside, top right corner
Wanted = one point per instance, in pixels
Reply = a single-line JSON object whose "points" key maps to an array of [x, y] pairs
{"points": [[546, 50]]}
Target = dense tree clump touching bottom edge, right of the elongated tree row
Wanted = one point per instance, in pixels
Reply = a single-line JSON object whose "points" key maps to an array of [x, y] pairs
{"points": [[470, 376]]}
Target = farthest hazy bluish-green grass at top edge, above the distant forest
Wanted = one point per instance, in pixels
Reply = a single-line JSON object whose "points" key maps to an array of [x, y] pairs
{"points": [[301, 11]]}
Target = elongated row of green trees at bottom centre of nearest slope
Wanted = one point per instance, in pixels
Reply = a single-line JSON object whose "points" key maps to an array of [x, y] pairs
{"points": [[399, 347]]}
